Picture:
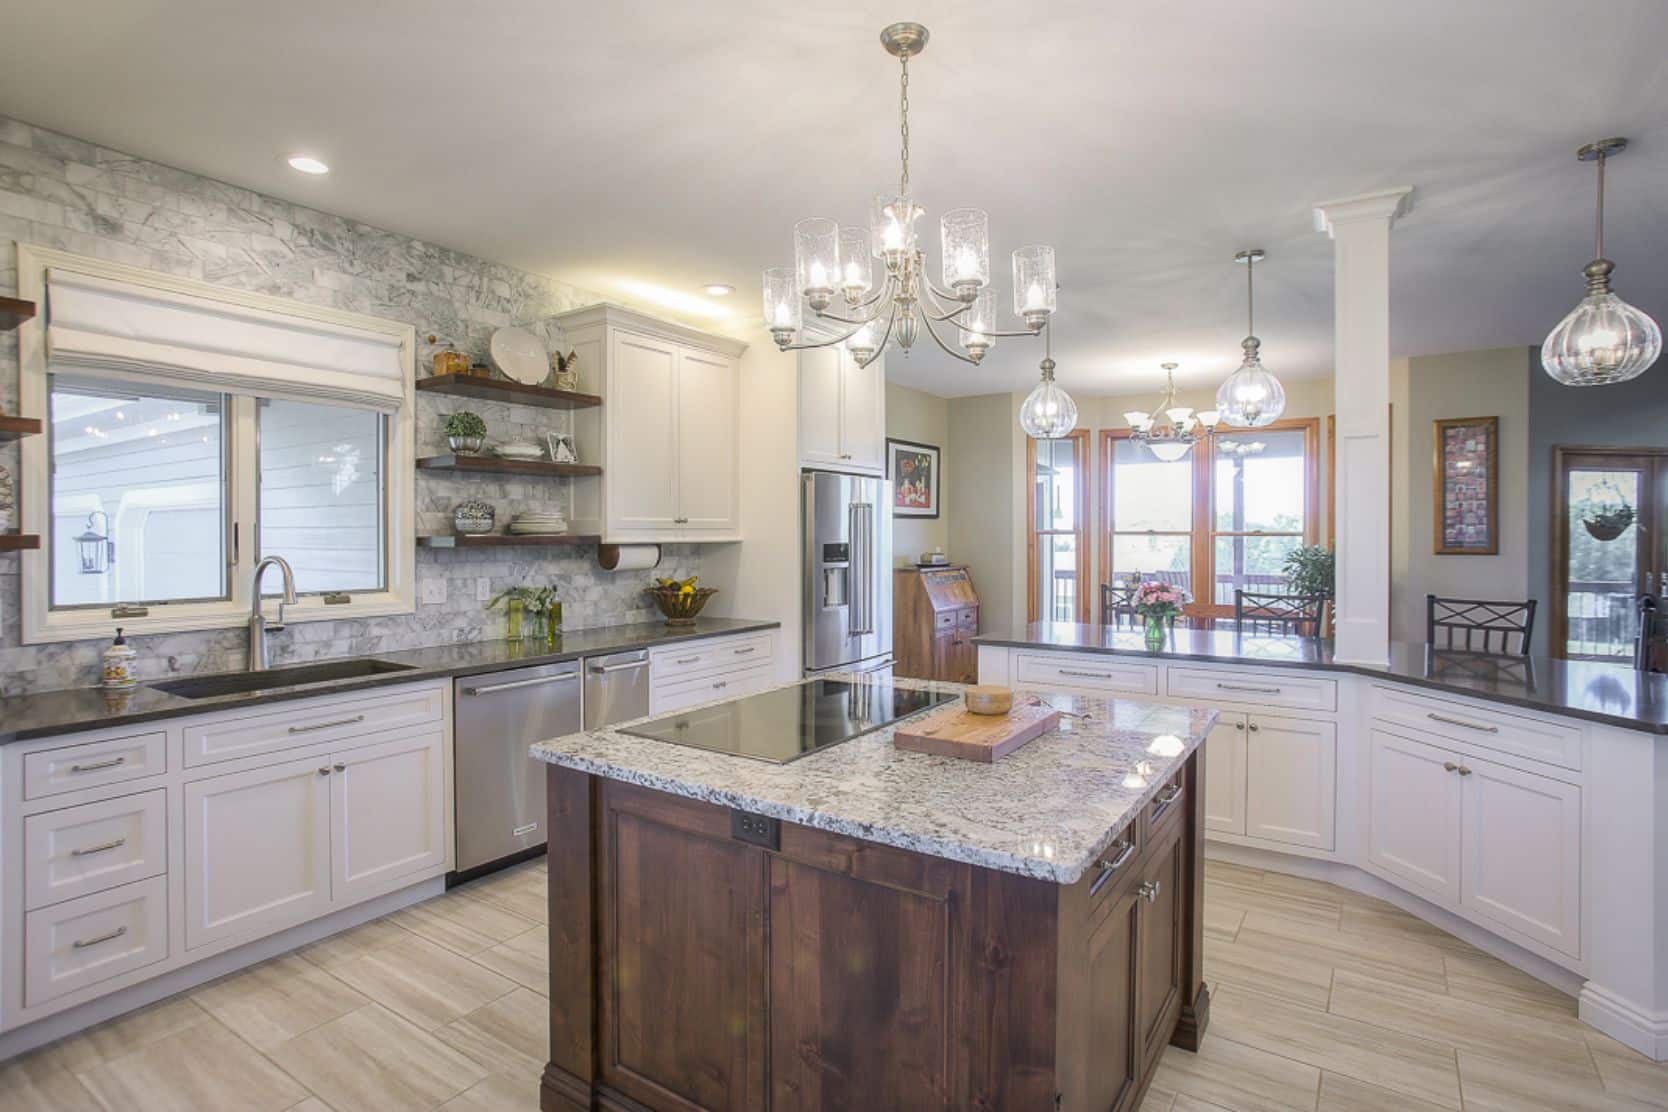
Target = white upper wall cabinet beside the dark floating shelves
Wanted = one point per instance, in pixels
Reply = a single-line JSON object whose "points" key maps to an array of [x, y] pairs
{"points": [[668, 433]]}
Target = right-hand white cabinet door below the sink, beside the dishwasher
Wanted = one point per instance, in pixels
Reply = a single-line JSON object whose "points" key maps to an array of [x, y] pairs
{"points": [[388, 816]]}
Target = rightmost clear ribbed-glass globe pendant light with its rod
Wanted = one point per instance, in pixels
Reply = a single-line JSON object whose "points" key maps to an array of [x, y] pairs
{"points": [[1604, 339]]}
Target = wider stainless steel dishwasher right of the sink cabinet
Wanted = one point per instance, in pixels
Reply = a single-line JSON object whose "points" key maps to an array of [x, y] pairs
{"points": [[500, 788]]}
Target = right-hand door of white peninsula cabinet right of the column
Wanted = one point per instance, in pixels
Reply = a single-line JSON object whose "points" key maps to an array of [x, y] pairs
{"points": [[1522, 853]]}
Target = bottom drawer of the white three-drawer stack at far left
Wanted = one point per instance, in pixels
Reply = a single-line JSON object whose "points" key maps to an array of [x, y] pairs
{"points": [[81, 943]]}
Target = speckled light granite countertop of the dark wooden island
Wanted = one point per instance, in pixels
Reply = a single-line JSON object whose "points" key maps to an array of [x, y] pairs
{"points": [[1045, 811]]}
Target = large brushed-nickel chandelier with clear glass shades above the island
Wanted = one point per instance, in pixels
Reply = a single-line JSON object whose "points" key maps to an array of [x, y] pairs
{"points": [[893, 308]]}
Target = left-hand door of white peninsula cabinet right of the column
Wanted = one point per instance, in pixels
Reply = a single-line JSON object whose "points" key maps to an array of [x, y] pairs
{"points": [[1414, 814]]}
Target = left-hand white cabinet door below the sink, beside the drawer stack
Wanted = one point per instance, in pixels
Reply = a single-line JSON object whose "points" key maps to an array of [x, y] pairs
{"points": [[258, 851]]}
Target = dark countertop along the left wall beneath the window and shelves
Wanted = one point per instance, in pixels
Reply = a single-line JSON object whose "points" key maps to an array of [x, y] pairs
{"points": [[44, 714]]}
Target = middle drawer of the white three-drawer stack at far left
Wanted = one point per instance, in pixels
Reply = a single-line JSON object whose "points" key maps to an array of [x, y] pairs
{"points": [[93, 848]]}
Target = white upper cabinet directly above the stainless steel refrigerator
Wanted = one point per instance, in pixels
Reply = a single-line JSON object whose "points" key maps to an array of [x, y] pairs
{"points": [[842, 413]]}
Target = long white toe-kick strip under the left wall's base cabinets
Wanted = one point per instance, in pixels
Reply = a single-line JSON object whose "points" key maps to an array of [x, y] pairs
{"points": [[186, 978]]}
